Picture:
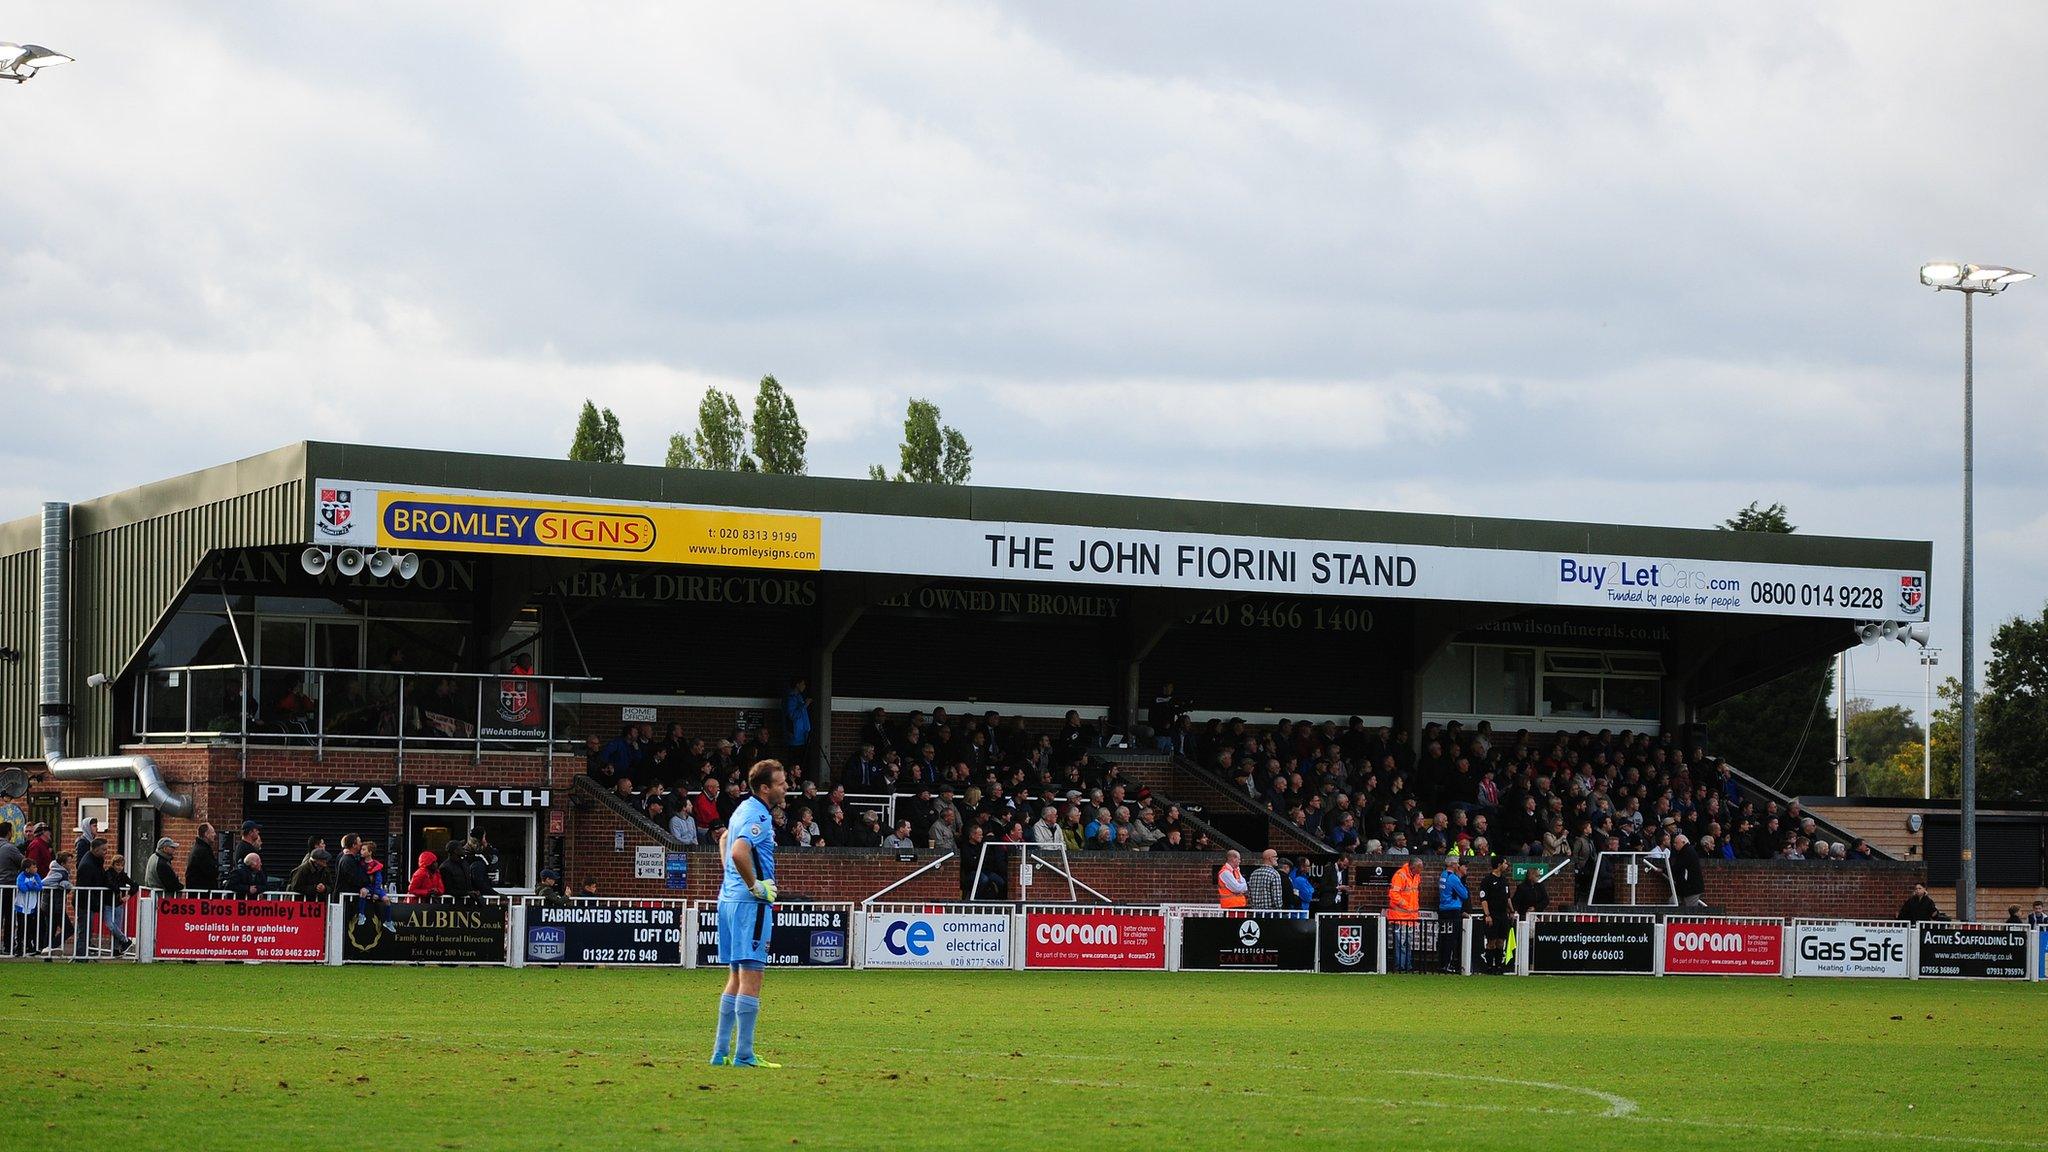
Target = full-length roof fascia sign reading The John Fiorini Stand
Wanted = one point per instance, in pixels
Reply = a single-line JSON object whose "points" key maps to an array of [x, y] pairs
{"points": [[366, 516]]}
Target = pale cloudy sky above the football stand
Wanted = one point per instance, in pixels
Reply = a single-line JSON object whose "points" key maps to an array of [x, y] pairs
{"points": [[1623, 263]]}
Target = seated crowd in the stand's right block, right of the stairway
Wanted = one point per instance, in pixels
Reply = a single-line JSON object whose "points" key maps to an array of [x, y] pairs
{"points": [[1478, 792]]}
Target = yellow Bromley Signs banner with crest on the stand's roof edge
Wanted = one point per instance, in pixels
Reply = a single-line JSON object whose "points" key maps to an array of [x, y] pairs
{"points": [[556, 528]]}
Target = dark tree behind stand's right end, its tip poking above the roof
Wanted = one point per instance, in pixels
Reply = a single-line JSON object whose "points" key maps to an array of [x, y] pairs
{"points": [[1779, 731]]}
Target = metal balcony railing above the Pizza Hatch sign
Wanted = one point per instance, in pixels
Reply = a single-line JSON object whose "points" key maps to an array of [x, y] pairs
{"points": [[308, 706]]}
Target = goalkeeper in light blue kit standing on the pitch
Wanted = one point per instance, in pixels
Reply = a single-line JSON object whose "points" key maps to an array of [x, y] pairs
{"points": [[746, 913]]}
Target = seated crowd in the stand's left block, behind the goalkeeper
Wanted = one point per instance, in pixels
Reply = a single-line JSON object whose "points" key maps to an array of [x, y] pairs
{"points": [[947, 782]]}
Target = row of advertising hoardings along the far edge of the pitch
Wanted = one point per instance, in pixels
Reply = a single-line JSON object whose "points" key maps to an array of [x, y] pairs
{"points": [[1142, 940]]}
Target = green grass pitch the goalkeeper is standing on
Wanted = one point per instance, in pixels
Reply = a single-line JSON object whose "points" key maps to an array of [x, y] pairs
{"points": [[187, 1057]]}
